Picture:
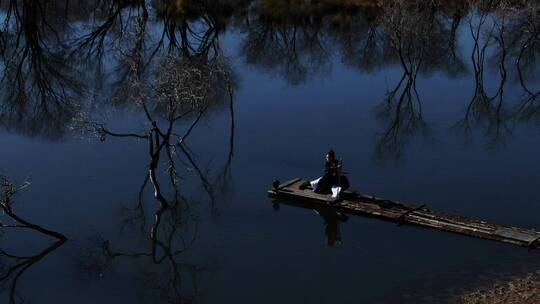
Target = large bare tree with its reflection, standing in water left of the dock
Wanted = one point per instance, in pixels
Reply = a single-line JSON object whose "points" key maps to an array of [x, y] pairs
{"points": [[185, 91]]}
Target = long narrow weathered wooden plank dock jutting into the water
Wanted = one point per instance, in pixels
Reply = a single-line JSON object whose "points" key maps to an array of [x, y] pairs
{"points": [[361, 204]]}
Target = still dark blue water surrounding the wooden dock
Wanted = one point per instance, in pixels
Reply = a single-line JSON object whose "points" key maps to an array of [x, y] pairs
{"points": [[249, 252]]}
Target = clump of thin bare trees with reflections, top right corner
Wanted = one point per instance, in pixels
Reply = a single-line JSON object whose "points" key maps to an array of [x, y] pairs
{"points": [[508, 34]]}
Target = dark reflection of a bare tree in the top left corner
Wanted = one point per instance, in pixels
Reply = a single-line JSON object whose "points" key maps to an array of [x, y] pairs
{"points": [[40, 86]]}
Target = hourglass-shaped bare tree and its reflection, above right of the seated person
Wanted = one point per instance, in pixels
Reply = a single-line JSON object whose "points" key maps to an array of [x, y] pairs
{"points": [[409, 40]]}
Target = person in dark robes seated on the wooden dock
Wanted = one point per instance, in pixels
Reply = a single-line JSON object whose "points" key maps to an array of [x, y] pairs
{"points": [[332, 182]]}
